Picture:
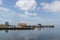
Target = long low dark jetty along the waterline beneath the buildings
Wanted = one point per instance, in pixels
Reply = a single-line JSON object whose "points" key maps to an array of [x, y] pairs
{"points": [[26, 28]]}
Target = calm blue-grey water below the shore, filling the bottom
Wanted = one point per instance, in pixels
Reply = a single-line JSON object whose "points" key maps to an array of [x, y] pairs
{"points": [[43, 34]]}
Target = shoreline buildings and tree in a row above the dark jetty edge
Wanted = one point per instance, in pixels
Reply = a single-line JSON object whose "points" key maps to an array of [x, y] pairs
{"points": [[24, 25]]}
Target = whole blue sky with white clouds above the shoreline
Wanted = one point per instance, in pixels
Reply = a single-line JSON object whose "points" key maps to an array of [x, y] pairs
{"points": [[30, 11]]}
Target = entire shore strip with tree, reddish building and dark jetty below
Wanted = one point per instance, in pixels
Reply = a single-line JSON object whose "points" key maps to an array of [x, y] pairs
{"points": [[23, 26]]}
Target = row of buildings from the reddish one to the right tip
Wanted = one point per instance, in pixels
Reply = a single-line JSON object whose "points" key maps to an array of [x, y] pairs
{"points": [[33, 26]]}
